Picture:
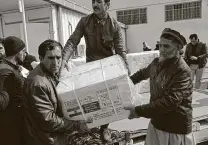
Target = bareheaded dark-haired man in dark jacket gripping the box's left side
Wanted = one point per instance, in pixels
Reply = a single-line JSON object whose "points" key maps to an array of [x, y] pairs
{"points": [[45, 124]]}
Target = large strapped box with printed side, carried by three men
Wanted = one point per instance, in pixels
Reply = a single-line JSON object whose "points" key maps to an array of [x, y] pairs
{"points": [[98, 90]]}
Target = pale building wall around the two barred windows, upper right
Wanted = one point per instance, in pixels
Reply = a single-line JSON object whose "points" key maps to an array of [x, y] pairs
{"points": [[150, 32]]}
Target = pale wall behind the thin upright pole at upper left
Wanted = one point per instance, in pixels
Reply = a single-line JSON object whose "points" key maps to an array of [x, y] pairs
{"points": [[38, 26]]}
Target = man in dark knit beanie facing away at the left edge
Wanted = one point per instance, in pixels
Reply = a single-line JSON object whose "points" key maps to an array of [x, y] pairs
{"points": [[11, 84]]}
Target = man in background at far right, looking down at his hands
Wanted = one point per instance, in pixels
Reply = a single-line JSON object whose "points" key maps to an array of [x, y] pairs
{"points": [[196, 57]]}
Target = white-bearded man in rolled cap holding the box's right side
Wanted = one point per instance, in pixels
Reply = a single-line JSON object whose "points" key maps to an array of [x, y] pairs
{"points": [[170, 106]]}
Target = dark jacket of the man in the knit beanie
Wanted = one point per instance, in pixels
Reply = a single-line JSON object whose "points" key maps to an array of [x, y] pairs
{"points": [[11, 108]]}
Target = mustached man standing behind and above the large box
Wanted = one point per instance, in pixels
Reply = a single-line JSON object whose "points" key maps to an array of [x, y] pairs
{"points": [[103, 38]]}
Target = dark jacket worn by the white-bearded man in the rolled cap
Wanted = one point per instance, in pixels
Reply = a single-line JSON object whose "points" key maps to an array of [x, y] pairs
{"points": [[170, 107]]}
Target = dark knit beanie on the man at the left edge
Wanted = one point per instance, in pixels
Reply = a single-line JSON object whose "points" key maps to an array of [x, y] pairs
{"points": [[13, 45]]}
